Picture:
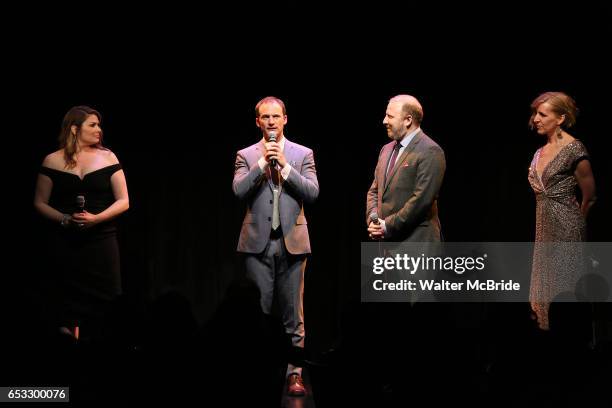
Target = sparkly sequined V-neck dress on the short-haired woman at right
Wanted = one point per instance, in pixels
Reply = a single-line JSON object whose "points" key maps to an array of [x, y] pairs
{"points": [[556, 268]]}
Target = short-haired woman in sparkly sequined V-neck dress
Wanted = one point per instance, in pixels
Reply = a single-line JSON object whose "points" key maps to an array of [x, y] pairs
{"points": [[557, 168]]}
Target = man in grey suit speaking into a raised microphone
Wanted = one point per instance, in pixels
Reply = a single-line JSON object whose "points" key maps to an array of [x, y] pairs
{"points": [[275, 177]]}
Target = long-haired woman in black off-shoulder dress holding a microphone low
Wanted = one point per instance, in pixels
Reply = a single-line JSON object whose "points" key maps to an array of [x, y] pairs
{"points": [[80, 190]]}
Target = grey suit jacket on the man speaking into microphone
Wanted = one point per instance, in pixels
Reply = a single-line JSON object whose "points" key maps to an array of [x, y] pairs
{"points": [[251, 184]]}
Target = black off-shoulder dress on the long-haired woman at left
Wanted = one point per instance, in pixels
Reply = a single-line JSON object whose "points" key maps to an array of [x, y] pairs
{"points": [[84, 275]]}
